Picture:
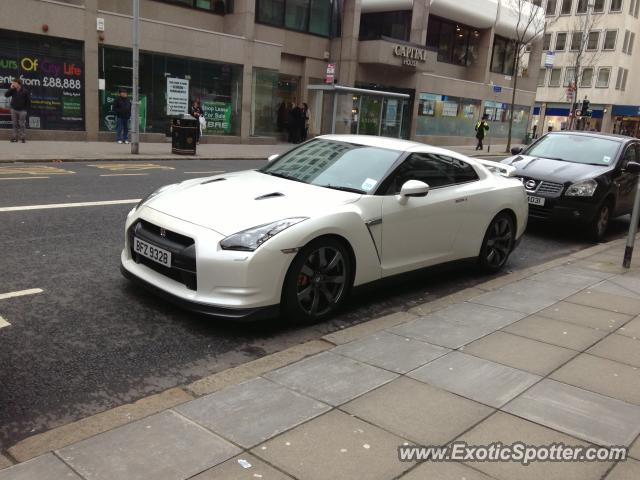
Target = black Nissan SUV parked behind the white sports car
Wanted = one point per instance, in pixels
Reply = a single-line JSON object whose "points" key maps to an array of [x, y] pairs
{"points": [[578, 176]]}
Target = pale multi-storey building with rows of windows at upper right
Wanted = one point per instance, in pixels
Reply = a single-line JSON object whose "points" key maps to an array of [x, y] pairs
{"points": [[604, 31]]}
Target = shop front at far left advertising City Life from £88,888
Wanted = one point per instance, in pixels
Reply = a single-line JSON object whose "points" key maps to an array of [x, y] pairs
{"points": [[52, 70]]}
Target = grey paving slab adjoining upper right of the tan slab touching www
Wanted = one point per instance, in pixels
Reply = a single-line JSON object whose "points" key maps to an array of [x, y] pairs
{"points": [[481, 380]]}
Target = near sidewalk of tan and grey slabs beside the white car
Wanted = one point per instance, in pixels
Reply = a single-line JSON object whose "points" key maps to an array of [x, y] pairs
{"points": [[546, 355]]}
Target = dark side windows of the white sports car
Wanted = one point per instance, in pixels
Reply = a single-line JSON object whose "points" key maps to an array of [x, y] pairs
{"points": [[433, 169]]}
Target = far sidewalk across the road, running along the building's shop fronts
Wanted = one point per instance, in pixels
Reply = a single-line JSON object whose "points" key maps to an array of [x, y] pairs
{"points": [[38, 151]]}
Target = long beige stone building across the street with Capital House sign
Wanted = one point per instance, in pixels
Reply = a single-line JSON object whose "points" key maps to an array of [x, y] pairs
{"points": [[421, 69]]}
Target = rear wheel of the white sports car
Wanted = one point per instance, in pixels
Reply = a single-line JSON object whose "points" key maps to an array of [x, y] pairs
{"points": [[497, 244]]}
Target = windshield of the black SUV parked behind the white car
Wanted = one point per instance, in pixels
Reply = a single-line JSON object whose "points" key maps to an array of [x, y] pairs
{"points": [[576, 148]]}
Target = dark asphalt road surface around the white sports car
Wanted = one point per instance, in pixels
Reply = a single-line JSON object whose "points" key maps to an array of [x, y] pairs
{"points": [[91, 341]]}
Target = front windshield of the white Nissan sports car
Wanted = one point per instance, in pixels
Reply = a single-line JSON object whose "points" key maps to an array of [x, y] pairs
{"points": [[338, 165]]}
